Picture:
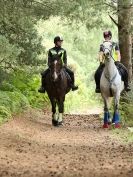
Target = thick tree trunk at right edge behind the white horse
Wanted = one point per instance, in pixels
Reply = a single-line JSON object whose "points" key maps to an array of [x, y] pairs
{"points": [[124, 29]]}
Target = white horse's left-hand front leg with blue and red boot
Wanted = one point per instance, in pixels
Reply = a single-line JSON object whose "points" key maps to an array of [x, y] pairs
{"points": [[107, 119]]}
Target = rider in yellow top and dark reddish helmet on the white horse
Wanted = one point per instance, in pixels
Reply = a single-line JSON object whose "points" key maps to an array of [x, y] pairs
{"points": [[117, 58]]}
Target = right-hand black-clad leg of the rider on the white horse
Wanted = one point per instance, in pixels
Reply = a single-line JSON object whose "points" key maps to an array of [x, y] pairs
{"points": [[124, 74]]}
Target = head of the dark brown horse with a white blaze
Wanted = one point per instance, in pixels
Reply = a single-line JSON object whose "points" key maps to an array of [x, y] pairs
{"points": [[56, 67]]}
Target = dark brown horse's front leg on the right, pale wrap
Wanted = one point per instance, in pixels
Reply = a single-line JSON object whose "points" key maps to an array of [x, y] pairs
{"points": [[61, 110]]}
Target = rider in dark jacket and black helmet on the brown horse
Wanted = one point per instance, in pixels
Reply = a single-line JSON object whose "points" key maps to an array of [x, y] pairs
{"points": [[54, 51]]}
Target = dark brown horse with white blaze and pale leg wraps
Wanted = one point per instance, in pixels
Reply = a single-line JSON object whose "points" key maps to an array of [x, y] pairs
{"points": [[57, 86]]}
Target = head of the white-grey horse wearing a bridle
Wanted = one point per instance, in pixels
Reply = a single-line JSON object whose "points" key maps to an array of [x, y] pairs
{"points": [[107, 49]]}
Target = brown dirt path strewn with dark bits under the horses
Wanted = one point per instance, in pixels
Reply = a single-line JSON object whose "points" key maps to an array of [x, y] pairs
{"points": [[31, 147]]}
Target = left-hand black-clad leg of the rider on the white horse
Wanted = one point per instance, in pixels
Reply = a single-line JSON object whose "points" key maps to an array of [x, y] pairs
{"points": [[97, 76]]}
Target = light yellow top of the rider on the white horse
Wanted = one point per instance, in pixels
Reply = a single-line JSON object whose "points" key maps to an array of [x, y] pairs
{"points": [[114, 51]]}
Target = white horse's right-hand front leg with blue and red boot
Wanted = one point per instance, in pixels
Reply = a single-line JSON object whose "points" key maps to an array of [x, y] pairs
{"points": [[116, 116]]}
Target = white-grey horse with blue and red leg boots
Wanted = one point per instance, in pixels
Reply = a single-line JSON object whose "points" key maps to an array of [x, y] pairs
{"points": [[111, 85]]}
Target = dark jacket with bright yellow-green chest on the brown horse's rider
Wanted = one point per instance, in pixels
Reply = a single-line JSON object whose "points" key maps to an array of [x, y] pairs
{"points": [[57, 50]]}
